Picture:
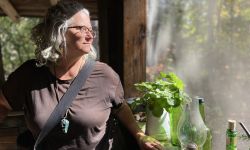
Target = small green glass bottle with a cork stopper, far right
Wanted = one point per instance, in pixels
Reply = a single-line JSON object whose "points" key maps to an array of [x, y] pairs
{"points": [[231, 136]]}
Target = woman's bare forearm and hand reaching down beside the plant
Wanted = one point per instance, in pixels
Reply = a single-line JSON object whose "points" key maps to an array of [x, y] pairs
{"points": [[125, 115]]}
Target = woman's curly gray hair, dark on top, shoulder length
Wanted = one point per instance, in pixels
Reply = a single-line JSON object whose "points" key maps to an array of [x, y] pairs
{"points": [[49, 35]]}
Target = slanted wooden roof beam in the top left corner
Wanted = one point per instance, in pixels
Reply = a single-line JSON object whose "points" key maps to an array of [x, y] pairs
{"points": [[9, 10]]}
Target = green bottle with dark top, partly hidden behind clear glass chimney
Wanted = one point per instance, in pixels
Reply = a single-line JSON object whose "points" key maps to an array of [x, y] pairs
{"points": [[208, 144]]}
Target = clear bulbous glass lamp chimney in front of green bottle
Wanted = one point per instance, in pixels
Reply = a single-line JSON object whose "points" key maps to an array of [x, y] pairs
{"points": [[191, 127]]}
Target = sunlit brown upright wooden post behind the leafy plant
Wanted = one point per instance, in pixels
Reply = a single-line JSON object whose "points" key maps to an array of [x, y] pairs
{"points": [[134, 52]]}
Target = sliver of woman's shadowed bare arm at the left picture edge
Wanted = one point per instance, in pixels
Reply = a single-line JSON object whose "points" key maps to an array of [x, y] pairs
{"points": [[4, 107]]}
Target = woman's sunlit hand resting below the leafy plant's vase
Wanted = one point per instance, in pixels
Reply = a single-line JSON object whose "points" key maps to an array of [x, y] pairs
{"points": [[148, 143]]}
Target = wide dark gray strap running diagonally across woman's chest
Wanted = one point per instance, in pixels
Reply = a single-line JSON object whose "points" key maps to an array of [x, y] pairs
{"points": [[66, 100]]}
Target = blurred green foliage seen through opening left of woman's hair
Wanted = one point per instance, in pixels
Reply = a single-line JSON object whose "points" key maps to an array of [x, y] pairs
{"points": [[15, 42]]}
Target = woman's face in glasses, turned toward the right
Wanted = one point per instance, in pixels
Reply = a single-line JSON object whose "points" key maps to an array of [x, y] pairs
{"points": [[79, 35]]}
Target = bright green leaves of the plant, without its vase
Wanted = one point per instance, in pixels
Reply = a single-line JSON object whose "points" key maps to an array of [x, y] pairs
{"points": [[165, 92]]}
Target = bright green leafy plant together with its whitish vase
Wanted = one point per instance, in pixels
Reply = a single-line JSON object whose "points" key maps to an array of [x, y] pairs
{"points": [[160, 97]]}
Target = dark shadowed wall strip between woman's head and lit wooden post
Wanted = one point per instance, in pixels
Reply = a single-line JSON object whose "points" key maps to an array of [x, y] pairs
{"points": [[111, 33]]}
